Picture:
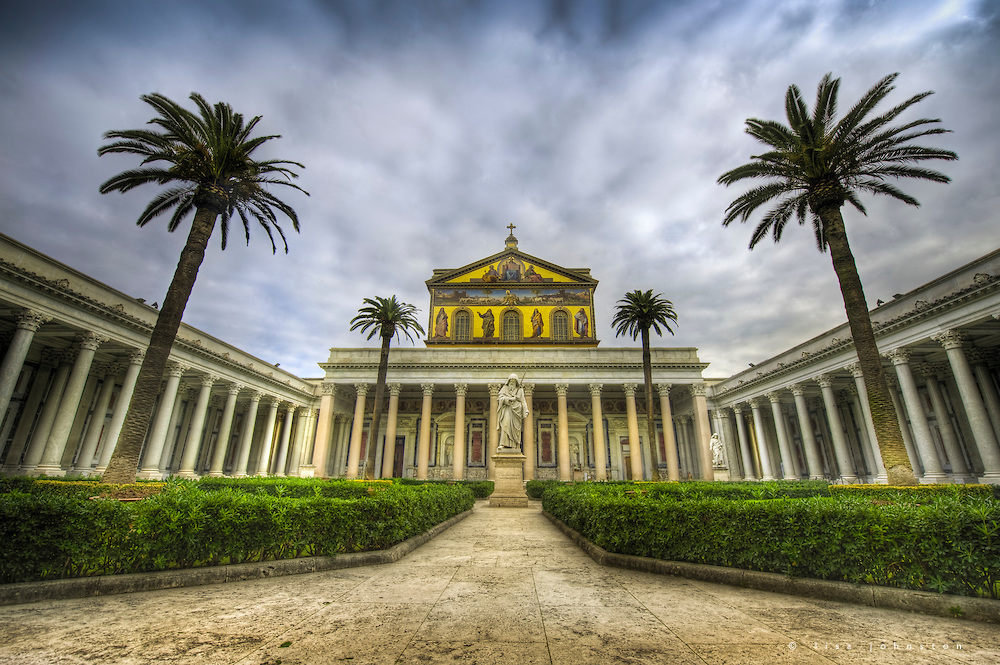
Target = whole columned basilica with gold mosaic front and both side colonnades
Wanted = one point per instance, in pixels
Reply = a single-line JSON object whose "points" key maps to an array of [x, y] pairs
{"points": [[71, 347]]}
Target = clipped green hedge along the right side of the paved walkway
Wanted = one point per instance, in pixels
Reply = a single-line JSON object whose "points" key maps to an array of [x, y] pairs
{"points": [[950, 545]]}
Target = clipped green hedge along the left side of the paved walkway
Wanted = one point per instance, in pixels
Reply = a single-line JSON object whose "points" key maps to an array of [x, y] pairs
{"points": [[48, 535]]}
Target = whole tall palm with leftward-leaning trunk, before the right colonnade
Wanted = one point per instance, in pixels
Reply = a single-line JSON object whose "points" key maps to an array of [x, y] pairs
{"points": [[815, 165]]}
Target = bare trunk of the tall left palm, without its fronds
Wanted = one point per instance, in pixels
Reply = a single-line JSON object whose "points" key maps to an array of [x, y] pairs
{"points": [[124, 462]]}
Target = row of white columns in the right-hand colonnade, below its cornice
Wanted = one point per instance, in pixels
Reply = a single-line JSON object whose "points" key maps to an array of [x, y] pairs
{"points": [[821, 427]]}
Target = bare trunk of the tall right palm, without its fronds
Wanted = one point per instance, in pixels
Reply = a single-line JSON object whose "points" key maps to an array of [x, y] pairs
{"points": [[887, 432]]}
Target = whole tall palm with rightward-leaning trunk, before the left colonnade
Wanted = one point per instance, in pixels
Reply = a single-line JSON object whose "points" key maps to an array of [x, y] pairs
{"points": [[207, 158]]}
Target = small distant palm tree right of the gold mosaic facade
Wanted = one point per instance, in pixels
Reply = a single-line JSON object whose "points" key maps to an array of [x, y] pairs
{"points": [[635, 314]]}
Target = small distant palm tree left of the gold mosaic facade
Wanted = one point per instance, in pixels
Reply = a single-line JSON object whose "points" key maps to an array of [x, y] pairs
{"points": [[386, 317]]}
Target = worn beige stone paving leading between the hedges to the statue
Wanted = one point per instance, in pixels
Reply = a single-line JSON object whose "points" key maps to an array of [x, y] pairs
{"points": [[501, 586]]}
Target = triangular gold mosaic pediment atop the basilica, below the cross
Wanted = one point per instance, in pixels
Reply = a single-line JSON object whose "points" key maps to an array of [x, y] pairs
{"points": [[512, 266]]}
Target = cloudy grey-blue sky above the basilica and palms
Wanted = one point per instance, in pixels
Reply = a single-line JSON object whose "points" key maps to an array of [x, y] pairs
{"points": [[597, 128]]}
